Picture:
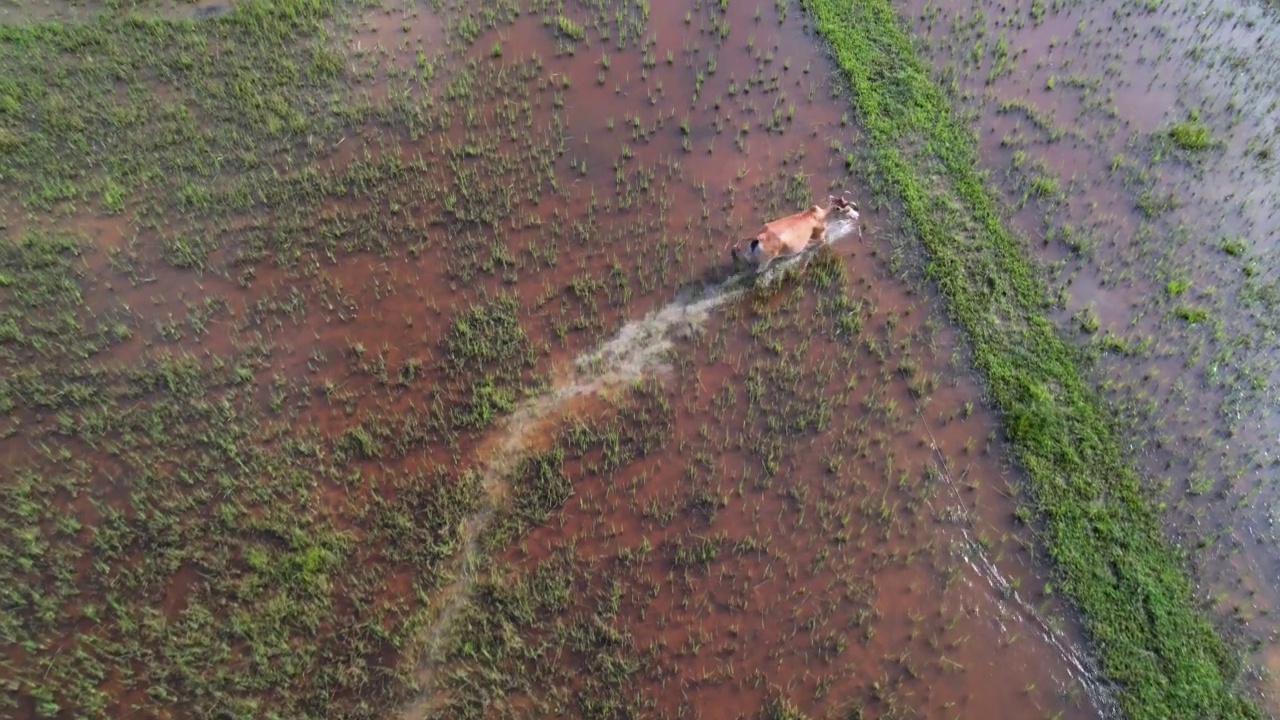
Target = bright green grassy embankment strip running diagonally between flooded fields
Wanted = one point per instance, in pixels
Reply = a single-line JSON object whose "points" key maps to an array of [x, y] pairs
{"points": [[1104, 535]]}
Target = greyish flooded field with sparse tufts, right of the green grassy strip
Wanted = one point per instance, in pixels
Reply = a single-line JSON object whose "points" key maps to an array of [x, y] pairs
{"points": [[1200, 402]]}
